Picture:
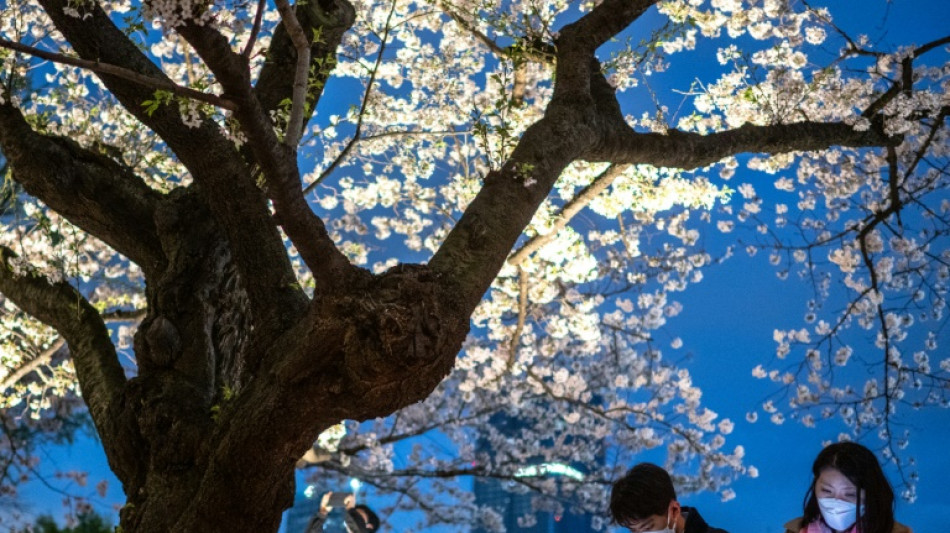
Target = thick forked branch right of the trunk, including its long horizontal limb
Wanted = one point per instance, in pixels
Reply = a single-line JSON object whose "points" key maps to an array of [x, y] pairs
{"points": [[584, 121]]}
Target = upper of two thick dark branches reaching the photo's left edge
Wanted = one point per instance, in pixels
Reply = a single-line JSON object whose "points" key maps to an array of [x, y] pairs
{"points": [[91, 190]]}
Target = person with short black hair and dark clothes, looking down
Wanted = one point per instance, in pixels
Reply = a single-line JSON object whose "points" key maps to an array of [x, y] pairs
{"points": [[644, 501]]}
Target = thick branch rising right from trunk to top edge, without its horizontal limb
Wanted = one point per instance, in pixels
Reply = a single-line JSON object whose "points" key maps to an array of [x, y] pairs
{"points": [[578, 120]]}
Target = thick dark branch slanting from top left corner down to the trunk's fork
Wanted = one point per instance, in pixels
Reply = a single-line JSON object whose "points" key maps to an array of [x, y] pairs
{"points": [[219, 173]]}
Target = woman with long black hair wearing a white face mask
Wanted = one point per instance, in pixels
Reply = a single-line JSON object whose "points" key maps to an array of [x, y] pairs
{"points": [[848, 494]]}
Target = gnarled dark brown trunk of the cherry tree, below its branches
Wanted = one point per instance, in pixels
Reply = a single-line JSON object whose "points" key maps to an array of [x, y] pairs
{"points": [[222, 415]]}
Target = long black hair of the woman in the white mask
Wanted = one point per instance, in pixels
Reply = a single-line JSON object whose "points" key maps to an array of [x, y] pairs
{"points": [[860, 466]]}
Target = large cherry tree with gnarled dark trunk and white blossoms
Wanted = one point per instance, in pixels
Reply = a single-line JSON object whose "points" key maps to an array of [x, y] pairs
{"points": [[247, 223]]}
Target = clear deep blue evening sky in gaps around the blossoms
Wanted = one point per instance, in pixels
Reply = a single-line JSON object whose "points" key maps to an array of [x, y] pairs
{"points": [[726, 325]]}
